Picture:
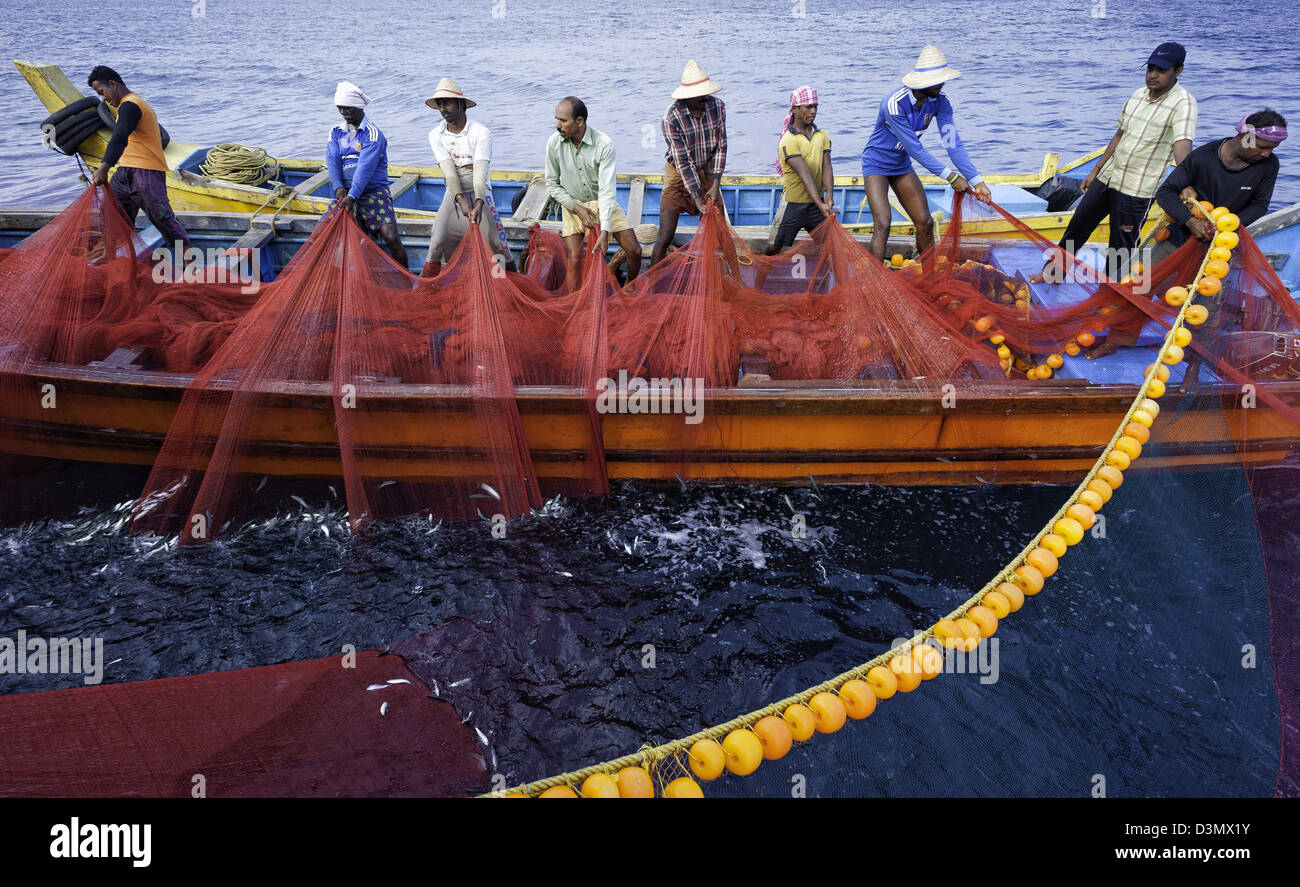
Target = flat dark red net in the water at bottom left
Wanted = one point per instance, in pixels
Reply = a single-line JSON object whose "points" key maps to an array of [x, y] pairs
{"points": [[298, 730]]}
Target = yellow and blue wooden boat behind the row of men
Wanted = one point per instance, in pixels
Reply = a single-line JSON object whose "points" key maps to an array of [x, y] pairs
{"points": [[302, 187]]}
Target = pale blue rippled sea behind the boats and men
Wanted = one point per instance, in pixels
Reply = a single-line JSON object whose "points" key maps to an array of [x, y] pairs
{"points": [[1038, 76]]}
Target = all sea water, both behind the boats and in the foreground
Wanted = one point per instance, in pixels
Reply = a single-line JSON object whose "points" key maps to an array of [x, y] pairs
{"points": [[1130, 667]]}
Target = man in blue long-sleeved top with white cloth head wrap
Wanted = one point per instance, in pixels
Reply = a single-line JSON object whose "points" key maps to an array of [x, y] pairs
{"points": [[358, 162]]}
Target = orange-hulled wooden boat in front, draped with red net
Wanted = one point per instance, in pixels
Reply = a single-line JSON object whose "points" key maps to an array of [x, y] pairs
{"points": [[895, 432]]}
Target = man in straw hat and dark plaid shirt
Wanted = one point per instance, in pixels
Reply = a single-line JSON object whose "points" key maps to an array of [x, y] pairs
{"points": [[695, 128]]}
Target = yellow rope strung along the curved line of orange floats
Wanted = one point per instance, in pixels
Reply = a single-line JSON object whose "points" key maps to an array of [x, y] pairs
{"points": [[649, 756]]}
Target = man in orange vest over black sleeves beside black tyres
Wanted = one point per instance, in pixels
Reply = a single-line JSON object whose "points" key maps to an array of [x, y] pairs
{"points": [[136, 148]]}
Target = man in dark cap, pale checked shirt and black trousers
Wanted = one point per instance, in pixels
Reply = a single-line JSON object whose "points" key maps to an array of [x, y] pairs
{"points": [[1158, 123]]}
